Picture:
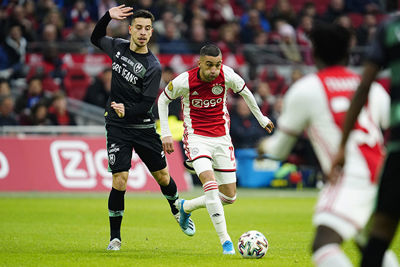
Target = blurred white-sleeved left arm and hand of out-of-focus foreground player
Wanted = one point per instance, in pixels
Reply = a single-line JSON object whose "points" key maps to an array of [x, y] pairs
{"points": [[292, 121]]}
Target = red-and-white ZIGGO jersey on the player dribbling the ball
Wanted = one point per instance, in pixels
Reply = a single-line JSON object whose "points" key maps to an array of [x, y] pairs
{"points": [[204, 103]]}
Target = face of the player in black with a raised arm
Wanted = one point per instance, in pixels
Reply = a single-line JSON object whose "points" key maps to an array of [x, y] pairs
{"points": [[141, 30]]}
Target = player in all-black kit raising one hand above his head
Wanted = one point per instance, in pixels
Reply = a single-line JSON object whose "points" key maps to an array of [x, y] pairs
{"points": [[136, 75]]}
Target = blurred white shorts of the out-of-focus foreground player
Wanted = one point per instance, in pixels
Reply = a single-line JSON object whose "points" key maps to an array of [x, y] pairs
{"points": [[346, 206]]}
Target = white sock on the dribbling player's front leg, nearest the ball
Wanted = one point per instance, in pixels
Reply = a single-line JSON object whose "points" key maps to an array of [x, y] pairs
{"points": [[215, 210]]}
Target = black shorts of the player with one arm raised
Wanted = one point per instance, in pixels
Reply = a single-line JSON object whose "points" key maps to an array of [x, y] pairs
{"points": [[146, 142]]}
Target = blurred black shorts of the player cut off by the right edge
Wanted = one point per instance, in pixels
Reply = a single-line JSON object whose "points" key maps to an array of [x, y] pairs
{"points": [[389, 188]]}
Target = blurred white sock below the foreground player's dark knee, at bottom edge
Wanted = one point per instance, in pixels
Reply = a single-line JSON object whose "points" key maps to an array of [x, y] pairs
{"points": [[331, 256]]}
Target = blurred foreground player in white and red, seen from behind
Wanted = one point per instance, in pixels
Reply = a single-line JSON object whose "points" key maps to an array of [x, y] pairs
{"points": [[317, 103]]}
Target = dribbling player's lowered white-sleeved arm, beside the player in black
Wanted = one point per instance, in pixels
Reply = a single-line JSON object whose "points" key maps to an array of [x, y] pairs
{"points": [[166, 136]]}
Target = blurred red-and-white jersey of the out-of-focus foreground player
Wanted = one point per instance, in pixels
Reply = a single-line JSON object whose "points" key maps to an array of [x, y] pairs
{"points": [[318, 103]]}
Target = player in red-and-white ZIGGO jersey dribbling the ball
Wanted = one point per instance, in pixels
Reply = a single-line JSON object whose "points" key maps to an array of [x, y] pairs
{"points": [[206, 138]]}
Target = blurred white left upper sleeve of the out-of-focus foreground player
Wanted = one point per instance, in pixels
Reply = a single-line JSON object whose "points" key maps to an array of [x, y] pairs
{"points": [[295, 110]]}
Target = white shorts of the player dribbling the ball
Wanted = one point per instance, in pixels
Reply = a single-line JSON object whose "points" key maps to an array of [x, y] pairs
{"points": [[212, 153]]}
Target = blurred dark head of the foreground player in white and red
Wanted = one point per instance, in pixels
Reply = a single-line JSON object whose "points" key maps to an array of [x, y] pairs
{"points": [[331, 42]]}
